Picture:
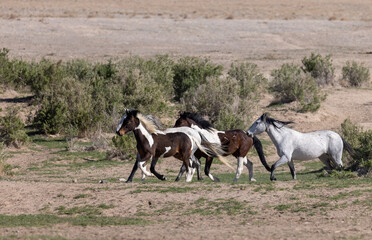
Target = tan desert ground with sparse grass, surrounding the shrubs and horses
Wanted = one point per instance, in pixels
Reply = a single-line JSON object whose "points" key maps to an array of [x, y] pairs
{"points": [[50, 181]]}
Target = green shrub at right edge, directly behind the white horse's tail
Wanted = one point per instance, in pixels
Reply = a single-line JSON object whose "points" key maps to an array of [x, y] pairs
{"points": [[361, 142]]}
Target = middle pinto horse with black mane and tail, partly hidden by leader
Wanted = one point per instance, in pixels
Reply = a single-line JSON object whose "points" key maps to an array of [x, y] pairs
{"points": [[235, 142]]}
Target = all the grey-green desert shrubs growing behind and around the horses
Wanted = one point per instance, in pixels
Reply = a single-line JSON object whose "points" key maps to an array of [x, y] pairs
{"points": [[79, 98]]}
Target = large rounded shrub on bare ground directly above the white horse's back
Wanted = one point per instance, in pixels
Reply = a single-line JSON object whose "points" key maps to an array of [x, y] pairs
{"points": [[290, 84]]}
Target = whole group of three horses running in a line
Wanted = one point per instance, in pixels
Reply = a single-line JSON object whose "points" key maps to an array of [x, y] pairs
{"points": [[193, 137]]}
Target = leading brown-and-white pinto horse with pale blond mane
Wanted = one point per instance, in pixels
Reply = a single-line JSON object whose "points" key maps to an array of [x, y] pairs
{"points": [[153, 143]]}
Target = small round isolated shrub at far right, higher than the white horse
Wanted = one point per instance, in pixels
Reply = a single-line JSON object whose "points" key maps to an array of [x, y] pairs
{"points": [[356, 75]]}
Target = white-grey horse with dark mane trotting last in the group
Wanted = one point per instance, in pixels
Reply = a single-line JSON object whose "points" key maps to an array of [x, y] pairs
{"points": [[293, 145]]}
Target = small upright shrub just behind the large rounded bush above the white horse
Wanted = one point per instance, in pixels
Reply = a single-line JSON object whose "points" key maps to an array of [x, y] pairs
{"points": [[320, 68]]}
